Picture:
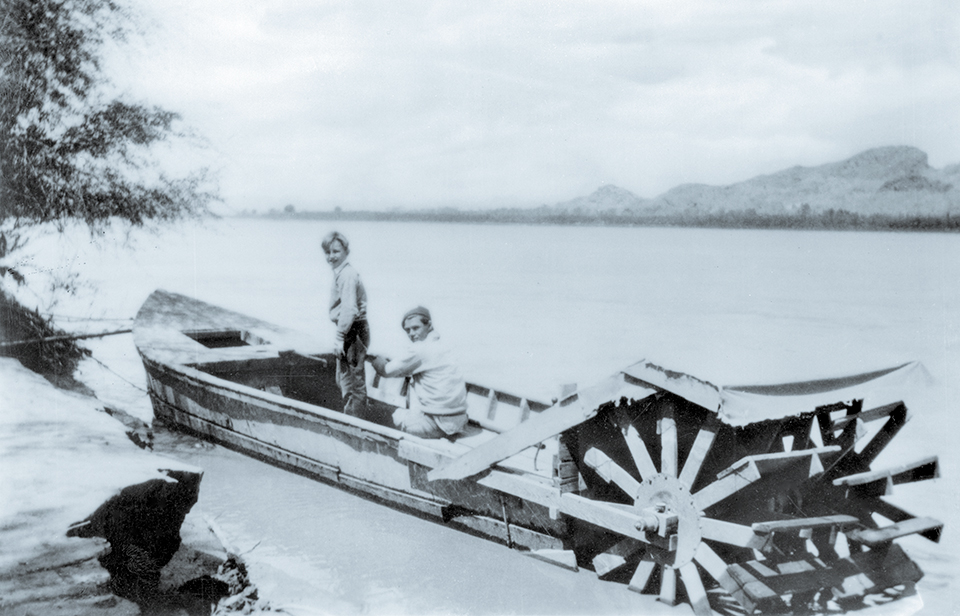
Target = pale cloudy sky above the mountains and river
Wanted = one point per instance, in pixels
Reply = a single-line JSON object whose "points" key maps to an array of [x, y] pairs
{"points": [[398, 103]]}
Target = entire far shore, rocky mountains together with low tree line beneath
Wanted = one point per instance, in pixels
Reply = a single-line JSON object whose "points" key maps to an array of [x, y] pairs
{"points": [[890, 188]]}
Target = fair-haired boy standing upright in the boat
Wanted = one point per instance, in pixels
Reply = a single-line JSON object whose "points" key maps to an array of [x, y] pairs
{"points": [[348, 310]]}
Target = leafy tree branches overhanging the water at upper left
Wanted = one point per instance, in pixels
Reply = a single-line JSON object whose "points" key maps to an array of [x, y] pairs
{"points": [[66, 154]]}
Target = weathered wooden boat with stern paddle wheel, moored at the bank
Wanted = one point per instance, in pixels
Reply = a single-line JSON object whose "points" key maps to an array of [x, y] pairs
{"points": [[761, 495]]}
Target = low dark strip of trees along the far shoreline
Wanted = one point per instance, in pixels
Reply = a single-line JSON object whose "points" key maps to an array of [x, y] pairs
{"points": [[741, 219]]}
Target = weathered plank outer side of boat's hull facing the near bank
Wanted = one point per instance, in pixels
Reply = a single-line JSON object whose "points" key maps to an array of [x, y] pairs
{"points": [[333, 448]]}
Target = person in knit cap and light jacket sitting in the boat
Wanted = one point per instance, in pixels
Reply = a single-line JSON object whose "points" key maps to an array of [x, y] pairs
{"points": [[438, 401]]}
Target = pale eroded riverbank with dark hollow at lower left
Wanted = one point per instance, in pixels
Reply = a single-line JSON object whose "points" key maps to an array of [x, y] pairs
{"points": [[72, 473]]}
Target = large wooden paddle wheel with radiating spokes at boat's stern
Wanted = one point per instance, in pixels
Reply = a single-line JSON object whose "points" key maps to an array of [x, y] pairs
{"points": [[781, 514]]}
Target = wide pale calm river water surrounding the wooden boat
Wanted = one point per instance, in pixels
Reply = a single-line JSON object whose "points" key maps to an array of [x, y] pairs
{"points": [[530, 308]]}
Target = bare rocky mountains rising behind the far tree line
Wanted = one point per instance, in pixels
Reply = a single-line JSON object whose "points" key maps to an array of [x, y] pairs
{"points": [[889, 181]]}
